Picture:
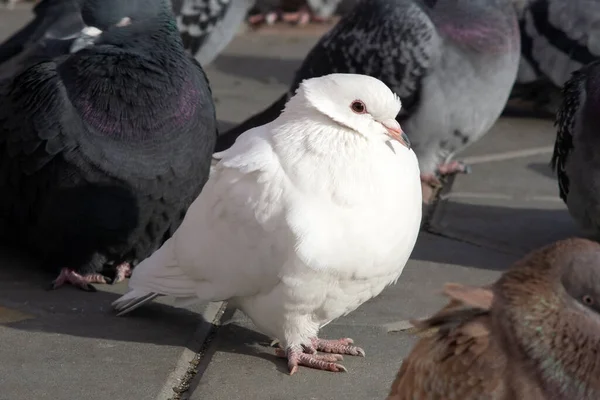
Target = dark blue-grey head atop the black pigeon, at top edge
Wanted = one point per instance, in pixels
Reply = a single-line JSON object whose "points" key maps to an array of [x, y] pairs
{"points": [[103, 14]]}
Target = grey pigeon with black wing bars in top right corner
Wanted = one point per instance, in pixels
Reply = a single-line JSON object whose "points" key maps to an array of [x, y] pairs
{"points": [[558, 37]]}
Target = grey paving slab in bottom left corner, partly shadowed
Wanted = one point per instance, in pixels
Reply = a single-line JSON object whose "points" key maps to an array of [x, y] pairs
{"points": [[66, 344]]}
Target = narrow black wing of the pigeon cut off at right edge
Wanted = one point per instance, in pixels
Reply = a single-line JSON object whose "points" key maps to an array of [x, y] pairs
{"points": [[573, 91]]}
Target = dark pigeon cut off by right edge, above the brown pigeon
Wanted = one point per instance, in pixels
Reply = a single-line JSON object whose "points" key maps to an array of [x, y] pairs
{"points": [[576, 159]]}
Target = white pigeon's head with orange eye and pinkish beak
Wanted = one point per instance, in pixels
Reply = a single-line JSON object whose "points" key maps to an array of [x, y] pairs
{"points": [[359, 103]]}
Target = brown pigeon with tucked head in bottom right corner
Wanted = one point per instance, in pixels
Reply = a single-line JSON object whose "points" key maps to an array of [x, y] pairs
{"points": [[534, 334]]}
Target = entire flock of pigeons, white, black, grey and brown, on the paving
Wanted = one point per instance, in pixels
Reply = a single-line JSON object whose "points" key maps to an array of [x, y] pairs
{"points": [[108, 130]]}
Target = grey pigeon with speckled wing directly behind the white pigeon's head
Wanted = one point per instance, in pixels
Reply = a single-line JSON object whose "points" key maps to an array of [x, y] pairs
{"points": [[452, 62]]}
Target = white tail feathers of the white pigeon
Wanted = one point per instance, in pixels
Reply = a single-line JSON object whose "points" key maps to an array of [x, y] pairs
{"points": [[158, 275]]}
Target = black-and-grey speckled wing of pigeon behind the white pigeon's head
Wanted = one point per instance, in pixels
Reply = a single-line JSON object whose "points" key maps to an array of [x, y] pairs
{"points": [[394, 41]]}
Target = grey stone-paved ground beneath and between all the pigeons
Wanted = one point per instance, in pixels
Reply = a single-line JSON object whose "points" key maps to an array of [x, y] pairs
{"points": [[66, 344]]}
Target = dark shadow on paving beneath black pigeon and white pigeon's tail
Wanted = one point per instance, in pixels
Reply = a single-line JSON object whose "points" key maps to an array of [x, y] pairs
{"points": [[73, 312]]}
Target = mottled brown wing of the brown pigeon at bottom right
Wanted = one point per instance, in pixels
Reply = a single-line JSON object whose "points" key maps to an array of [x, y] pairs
{"points": [[457, 359]]}
